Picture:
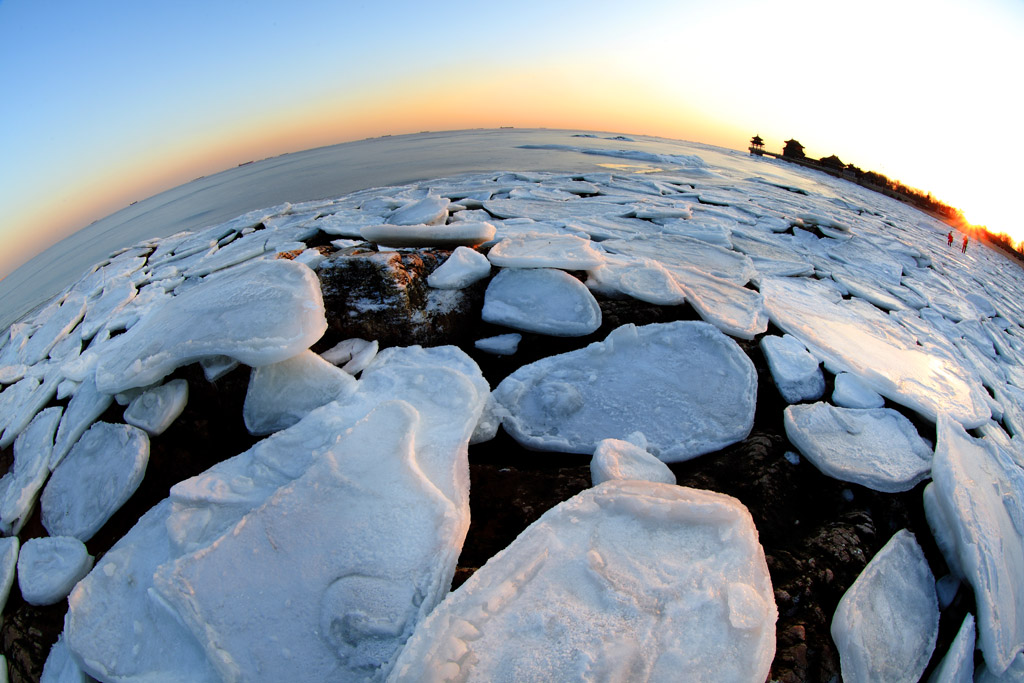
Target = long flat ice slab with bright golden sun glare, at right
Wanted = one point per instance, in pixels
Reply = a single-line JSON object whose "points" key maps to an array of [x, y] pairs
{"points": [[876, 353]]}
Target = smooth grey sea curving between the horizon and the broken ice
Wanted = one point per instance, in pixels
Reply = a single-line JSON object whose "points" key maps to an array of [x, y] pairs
{"points": [[333, 172]]}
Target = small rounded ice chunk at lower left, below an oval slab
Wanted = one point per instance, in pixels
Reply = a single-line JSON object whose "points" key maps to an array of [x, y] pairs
{"points": [[50, 568]]}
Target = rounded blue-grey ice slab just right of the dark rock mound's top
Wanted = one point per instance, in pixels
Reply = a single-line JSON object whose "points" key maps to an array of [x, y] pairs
{"points": [[542, 301]]}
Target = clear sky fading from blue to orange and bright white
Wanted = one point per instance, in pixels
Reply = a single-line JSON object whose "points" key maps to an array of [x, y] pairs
{"points": [[109, 102]]}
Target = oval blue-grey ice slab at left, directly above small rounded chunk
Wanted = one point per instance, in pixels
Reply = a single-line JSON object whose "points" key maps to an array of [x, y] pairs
{"points": [[100, 475]]}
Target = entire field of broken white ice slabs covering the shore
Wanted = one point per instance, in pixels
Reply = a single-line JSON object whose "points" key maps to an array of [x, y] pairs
{"points": [[327, 550]]}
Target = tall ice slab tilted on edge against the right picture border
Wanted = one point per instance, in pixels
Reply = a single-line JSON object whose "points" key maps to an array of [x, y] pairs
{"points": [[978, 506]]}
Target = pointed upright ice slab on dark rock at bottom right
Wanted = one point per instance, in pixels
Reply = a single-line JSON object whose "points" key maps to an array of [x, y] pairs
{"points": [[886, 624]]}
